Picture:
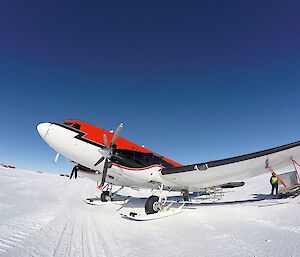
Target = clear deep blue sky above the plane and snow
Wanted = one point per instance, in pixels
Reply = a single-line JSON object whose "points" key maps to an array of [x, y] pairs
{"points": [[191, 80]]}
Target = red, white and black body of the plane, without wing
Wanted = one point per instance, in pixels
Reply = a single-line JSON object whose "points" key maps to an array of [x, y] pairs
{"points": [[136, 166]]}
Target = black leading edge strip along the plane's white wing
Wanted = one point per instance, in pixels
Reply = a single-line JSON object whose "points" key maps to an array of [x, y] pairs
{"points": [[211, 164]]}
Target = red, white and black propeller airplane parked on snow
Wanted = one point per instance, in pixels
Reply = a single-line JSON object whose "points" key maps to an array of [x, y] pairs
{"points": [[105, 157]]}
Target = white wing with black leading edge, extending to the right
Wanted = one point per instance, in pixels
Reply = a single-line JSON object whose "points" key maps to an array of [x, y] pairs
{"points": [[215, 173]]}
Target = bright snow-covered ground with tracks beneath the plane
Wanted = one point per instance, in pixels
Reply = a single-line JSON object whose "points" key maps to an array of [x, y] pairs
{"points": [[44, 215]]}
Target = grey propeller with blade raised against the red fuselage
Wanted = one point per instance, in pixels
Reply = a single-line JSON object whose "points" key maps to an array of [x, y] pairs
{"points": [[107, 152]]}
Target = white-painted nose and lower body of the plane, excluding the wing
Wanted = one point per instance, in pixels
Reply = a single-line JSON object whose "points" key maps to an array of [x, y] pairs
{"points": [[64, 141]]}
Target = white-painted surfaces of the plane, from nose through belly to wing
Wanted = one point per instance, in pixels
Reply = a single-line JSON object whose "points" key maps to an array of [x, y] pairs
{"points": [[71, 144]]}
